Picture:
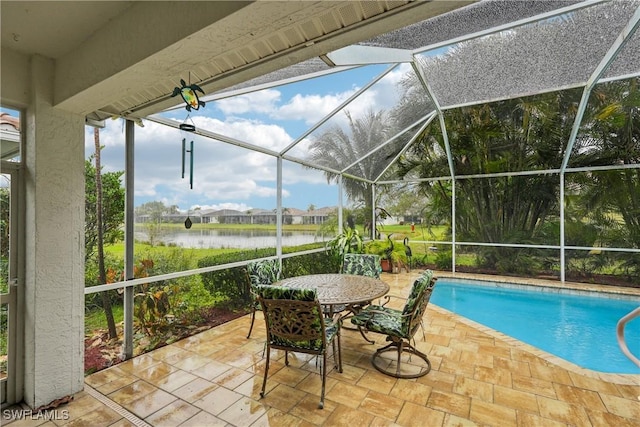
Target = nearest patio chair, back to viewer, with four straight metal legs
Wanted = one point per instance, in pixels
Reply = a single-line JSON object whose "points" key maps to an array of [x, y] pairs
{"points": [[295, 323]]}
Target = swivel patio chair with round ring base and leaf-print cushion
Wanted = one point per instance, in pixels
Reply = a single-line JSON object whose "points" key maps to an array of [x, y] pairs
{"points": [[399, 326]]}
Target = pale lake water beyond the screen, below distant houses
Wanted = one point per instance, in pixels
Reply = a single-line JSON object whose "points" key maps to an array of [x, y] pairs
{"points": [[235, 239]]}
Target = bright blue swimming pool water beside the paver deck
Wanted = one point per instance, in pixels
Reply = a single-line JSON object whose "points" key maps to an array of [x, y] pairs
{"points": [[580, 328]]}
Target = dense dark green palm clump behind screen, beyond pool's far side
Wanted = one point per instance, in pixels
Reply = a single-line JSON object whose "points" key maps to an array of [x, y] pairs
{"points": [[508, 136]]}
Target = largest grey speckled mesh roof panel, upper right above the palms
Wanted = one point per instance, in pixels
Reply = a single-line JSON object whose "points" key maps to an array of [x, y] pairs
{"points": [[548, 55]]}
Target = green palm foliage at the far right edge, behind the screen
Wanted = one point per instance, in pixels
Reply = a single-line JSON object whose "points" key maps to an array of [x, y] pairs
{"points": [[610, 200]]}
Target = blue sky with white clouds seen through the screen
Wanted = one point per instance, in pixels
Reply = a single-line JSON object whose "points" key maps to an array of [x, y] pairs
{"points": [[230, 177]]}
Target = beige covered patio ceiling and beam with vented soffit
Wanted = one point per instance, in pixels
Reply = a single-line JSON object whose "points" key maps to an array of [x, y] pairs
{"points": [[125, 58]]}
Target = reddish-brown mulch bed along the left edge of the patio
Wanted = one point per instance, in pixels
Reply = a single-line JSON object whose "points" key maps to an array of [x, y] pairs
{"points": [[100, 352]]}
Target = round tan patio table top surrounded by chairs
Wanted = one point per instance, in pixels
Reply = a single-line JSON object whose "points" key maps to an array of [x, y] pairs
{"points": [[340, 292]]}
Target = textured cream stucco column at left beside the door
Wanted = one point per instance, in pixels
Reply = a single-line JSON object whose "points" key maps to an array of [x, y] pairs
{"points": [[54, 244]]}
